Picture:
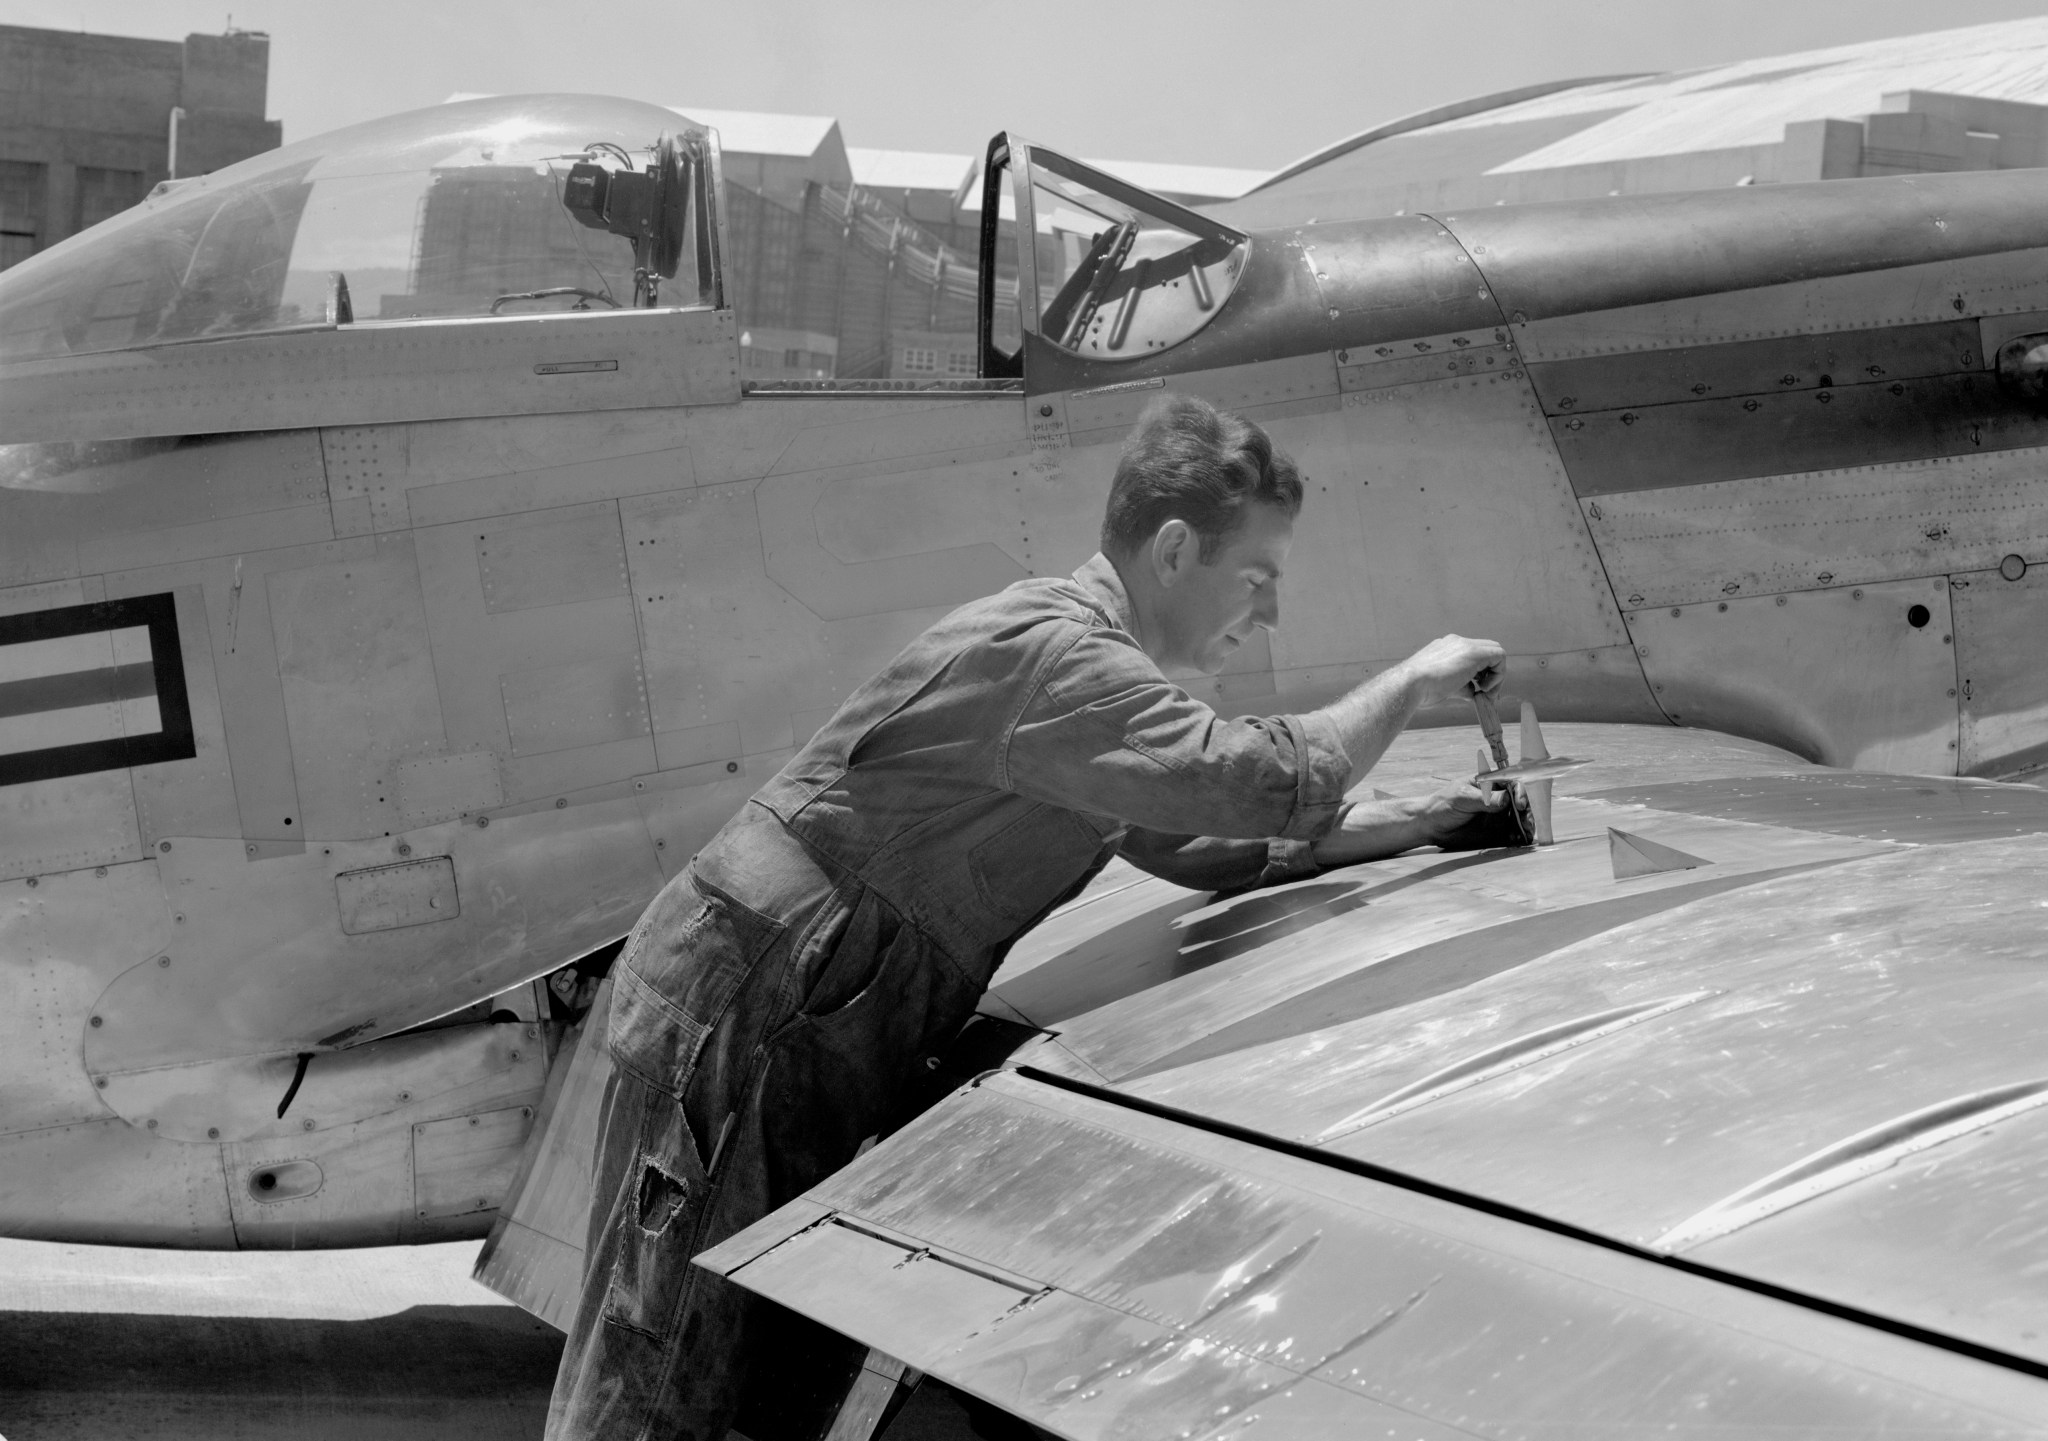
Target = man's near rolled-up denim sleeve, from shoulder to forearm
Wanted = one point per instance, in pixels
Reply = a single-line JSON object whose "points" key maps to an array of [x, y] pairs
{"points": [[1105, 732]]}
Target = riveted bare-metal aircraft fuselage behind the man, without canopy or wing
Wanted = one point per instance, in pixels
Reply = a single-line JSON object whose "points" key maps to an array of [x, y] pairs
{"points": [[454, 640]]}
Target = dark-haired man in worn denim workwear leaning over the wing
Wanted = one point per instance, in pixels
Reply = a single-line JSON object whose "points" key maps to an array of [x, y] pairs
{"points": [[781, 994]]}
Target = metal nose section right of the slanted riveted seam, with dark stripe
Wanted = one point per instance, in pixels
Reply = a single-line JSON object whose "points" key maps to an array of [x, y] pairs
{"points": [[1789, 400]]}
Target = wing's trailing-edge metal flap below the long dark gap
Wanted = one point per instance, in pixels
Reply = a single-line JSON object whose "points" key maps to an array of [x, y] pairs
{"points": [[1105, 1272]]}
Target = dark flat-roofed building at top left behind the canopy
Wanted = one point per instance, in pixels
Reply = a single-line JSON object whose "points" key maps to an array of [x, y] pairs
{"points": [[89, 124]]}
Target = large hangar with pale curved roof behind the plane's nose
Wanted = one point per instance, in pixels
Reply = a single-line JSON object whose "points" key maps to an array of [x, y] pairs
{"points": [[1969, 99]]}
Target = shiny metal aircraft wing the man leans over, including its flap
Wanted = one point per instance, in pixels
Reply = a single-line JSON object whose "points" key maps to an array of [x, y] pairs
{"points": [[1725, 1115]]}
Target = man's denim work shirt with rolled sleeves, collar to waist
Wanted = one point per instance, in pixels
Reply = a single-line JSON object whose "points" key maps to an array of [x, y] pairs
{"points": [[994, 767]]}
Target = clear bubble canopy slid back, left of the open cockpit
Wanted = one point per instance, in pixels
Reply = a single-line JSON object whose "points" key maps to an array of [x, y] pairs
{"points": [[445, 212]]}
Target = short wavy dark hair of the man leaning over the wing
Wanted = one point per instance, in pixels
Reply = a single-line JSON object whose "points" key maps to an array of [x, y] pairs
{"points": [[1197, 464]]}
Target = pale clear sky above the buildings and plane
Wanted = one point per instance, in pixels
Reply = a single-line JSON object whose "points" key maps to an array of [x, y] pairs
{"points": [[1226, 83]]}
